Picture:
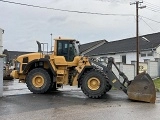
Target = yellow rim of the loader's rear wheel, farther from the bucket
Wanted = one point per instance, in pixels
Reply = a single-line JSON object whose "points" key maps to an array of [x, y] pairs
{"points": [[38, 81]]}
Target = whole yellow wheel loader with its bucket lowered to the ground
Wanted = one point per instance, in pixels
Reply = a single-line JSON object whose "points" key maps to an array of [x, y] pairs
{"points": [[45, 71]]}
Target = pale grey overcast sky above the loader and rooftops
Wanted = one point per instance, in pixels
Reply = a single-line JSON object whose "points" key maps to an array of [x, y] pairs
{"points": [[24, 25]]}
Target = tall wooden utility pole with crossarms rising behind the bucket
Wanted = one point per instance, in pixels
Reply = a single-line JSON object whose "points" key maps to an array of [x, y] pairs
{"points": [[137, 33]]}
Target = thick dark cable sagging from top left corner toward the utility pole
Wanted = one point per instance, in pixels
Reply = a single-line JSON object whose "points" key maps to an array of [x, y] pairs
{"points": [[64, 10]]}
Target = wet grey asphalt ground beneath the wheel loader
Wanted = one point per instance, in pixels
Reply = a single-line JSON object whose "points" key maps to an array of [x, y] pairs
{"points": [[70, 103]]}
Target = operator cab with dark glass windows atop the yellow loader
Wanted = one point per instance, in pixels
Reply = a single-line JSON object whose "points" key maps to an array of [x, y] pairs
{"points": [[69, 48]]}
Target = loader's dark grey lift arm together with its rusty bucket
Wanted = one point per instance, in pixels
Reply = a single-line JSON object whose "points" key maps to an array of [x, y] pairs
{"points": [[141, 88]]}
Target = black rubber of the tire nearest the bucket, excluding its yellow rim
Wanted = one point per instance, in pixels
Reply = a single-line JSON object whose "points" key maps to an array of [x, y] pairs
{"points": [[104, 85]]}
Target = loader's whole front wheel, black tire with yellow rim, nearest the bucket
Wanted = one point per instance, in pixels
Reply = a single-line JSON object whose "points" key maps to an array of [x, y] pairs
{"points": [[94, 84]]}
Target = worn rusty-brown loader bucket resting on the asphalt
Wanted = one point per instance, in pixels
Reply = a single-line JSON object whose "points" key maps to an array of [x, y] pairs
{"points": [[142, 88]]}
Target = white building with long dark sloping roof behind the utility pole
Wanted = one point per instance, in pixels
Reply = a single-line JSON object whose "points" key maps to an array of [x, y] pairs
{"points": [[125, 50]]}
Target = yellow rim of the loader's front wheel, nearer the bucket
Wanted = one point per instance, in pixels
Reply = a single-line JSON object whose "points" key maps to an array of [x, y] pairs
{"points": [[93, 83]]}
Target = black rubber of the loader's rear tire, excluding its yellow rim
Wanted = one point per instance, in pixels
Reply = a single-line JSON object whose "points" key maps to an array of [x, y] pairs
{"points": [[47, 80]]}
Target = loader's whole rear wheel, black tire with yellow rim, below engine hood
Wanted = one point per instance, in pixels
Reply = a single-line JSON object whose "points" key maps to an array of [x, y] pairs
{"points": [[38, 80]]}
